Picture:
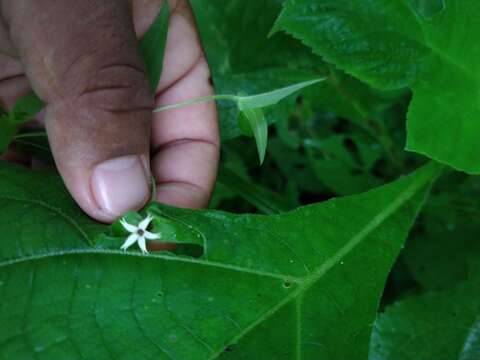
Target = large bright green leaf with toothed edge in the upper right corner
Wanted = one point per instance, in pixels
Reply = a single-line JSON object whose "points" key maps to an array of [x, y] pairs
{"points": [[429, 46]]}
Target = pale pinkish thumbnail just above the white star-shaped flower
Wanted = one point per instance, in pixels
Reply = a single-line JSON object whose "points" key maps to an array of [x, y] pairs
{"points": [[120, 185]]}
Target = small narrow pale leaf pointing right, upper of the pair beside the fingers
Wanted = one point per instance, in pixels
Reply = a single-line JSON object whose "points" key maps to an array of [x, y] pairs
{"points": [[272, 97]]}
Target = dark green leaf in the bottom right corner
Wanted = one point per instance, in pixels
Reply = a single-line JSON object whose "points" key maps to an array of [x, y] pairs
{"points": [[443, 325]]}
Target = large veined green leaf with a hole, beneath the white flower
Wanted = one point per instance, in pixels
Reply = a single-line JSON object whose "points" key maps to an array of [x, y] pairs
{"points": [[303, 284]]}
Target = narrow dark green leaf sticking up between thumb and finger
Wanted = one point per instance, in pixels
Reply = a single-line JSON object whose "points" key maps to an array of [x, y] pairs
{"points": [[152, 46]]}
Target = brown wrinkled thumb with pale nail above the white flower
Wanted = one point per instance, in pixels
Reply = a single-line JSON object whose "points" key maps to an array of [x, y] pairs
{"points": [[82, 59]]}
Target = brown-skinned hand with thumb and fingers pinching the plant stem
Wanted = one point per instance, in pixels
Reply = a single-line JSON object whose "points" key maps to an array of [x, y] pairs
{"points": [[82, 59]]}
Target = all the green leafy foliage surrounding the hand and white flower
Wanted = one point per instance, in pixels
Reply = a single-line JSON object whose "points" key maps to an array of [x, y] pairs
{"points": [[342, 245]]}
